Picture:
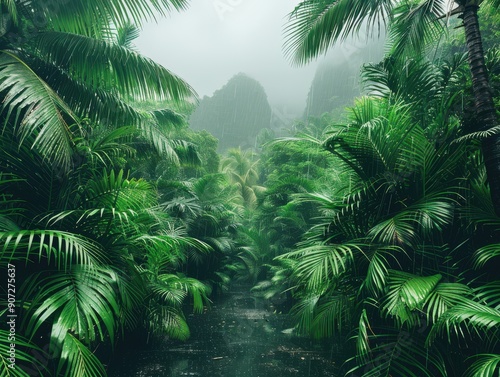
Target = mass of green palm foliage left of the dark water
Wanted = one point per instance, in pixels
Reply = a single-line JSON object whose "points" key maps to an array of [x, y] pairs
{"points": [[97, 256]]}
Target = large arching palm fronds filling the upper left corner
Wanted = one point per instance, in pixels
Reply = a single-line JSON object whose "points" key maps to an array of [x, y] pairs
{"points": [[63, 62]]}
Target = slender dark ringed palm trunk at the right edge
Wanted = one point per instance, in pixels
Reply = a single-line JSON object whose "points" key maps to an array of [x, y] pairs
{"points": [[483, 98]]}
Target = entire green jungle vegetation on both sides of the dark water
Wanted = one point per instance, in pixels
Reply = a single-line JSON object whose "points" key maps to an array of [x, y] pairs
{"points": [[375, 225]]}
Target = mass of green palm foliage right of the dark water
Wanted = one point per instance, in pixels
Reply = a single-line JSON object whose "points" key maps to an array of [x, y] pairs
{"points": [[397, 261]]}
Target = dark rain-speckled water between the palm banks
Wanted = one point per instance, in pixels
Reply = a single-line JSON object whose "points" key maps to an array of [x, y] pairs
{"points": [[240, 336]]}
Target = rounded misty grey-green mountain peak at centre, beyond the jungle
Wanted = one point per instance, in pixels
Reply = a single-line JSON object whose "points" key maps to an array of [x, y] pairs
{"points": [[235, 113]]}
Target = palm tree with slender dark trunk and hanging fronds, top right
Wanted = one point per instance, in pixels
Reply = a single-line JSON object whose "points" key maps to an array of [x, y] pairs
{"points": [[315, 25]]}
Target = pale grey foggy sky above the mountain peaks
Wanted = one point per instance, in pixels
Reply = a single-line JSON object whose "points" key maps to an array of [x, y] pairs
{"points": [[215, 39]]}
